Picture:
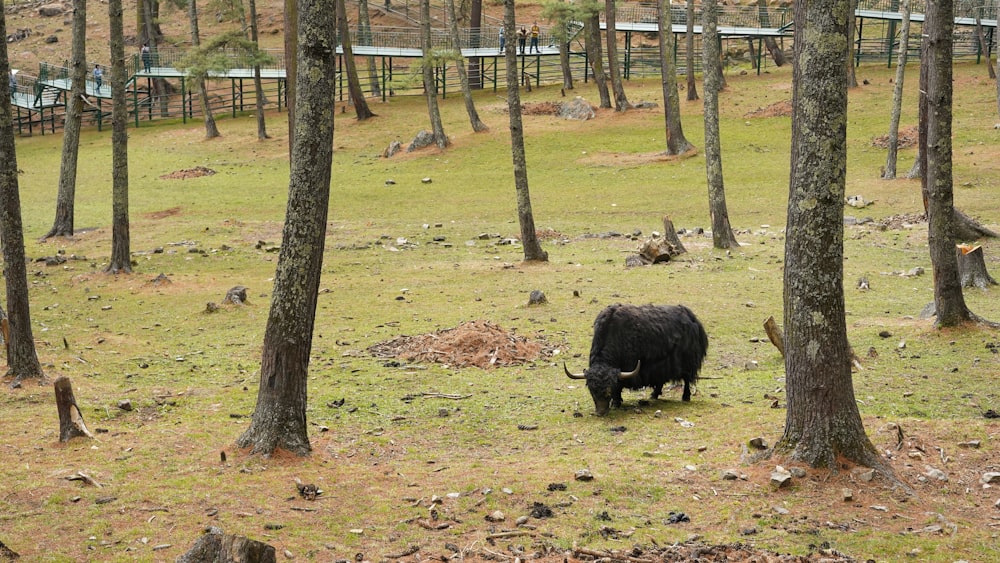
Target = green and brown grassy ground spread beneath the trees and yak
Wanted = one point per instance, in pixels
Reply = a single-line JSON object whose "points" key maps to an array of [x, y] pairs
{"points": [[384, 454]]}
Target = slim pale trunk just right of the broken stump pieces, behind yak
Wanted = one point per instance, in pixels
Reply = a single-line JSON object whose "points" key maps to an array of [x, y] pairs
{"points": [[722, 232]]}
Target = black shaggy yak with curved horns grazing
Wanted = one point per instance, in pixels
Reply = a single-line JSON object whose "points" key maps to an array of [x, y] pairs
{"points": [[659, 343]]}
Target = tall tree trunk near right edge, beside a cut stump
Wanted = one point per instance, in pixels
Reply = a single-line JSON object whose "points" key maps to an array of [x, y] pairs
{"points": [[949, 303]]}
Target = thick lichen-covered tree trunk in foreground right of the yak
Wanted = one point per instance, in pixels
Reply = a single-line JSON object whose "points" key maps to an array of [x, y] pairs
{"points": [[822, 423]]}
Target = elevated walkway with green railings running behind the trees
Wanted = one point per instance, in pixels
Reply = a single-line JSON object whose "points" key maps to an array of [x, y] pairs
{"points": [[40, 100]]}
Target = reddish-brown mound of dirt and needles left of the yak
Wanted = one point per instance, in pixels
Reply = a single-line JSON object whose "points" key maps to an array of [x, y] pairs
{"points": [[474, 343]]}
